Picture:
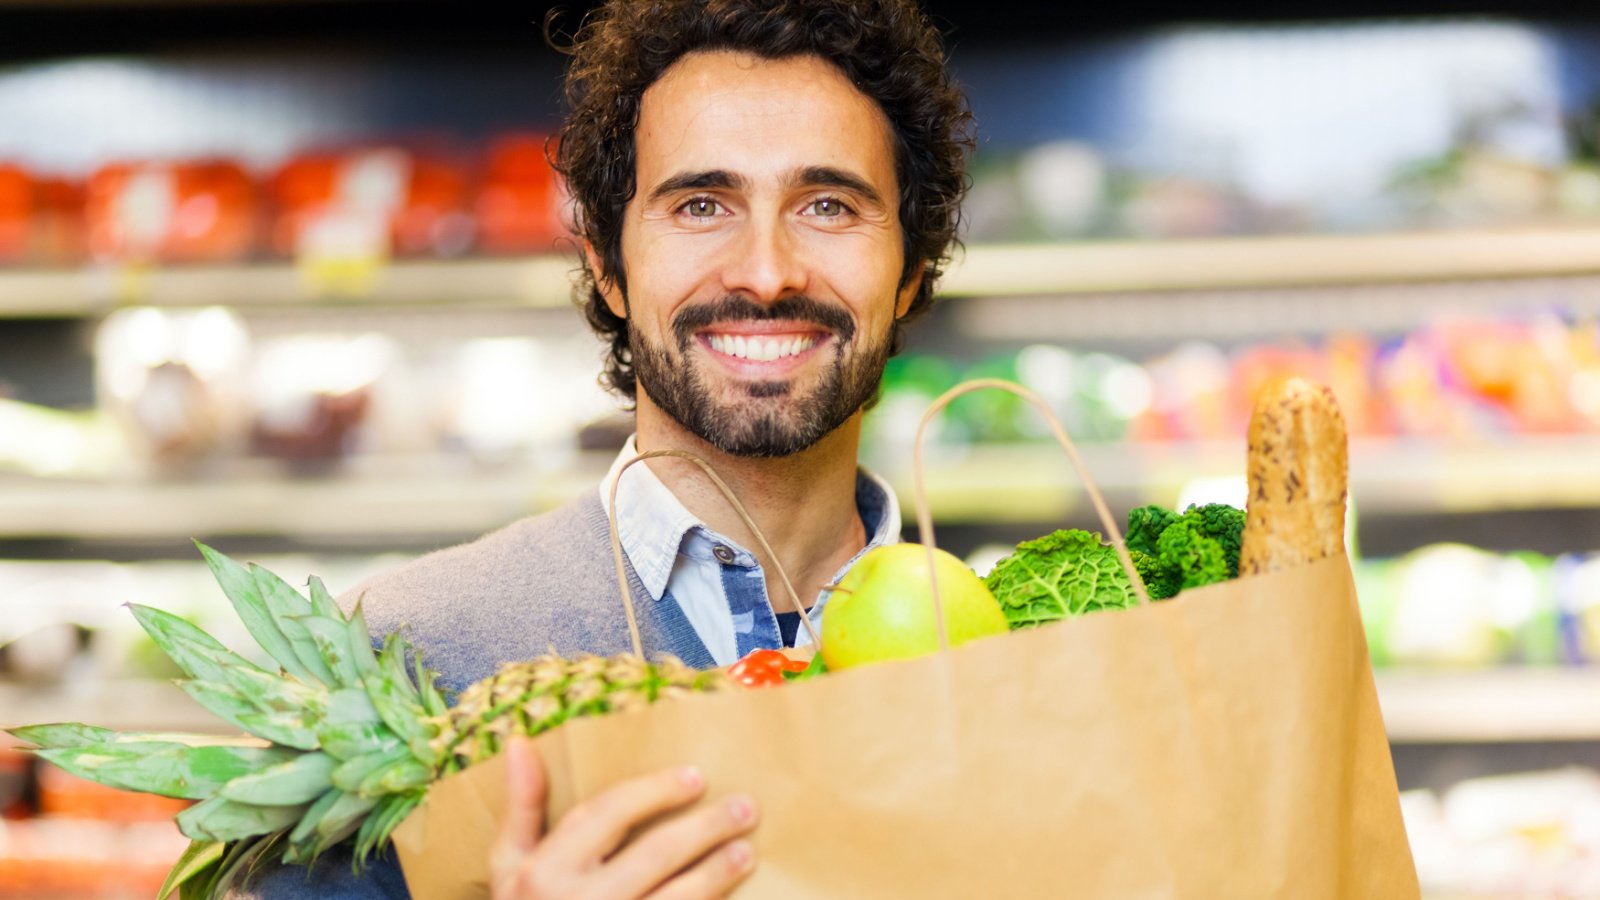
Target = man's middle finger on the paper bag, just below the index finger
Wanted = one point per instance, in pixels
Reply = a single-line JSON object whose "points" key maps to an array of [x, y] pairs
{"points": [[665, 850]]}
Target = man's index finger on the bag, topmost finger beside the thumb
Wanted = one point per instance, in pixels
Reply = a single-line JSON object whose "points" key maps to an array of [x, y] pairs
{"points": [[596, 829]]}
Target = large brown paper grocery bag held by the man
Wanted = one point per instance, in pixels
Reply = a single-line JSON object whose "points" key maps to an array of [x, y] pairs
{"points": [[1222, 745]]}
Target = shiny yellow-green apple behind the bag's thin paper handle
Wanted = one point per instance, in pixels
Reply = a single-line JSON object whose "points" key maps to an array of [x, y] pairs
{"points": [[882, 609]]}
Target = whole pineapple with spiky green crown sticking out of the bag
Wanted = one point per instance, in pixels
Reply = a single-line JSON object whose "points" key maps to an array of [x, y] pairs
{"points": [[346, 742]]}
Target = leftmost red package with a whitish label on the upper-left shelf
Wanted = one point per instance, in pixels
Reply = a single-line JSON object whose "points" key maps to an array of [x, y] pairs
{"points": [[193, 212]]}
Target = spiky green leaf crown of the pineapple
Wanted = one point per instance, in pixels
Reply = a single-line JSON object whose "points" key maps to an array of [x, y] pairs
{"points": [[350, 734]]}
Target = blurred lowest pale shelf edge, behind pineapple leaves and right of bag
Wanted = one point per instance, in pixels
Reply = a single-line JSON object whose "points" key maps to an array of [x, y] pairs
{"points": [[1420, 707]]}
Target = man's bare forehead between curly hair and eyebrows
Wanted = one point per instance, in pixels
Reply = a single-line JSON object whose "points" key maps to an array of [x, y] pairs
{"points": [[761, 118]]}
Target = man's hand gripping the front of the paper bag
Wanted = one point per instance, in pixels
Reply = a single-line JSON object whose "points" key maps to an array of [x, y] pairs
{"points": [[697, 854]]}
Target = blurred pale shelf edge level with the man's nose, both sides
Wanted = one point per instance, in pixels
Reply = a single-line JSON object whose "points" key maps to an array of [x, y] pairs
{"points": [[1052, 270]]}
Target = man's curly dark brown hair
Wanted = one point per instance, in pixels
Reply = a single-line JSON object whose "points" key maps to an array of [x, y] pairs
{"points": [[887, 49]]}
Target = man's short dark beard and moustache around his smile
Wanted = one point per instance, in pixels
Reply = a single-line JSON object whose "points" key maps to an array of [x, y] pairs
{"points": [[767, 419]]}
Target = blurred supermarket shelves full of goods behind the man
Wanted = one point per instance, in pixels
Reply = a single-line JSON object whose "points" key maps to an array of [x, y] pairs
{"points": [[290, 278]]}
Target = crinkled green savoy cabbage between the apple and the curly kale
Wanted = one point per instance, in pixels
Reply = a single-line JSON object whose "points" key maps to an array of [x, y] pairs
{"points": [[1065, 574]]}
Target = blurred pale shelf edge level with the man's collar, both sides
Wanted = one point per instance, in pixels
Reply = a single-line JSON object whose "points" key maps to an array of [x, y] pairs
{"points": [[1001, 484]]}
